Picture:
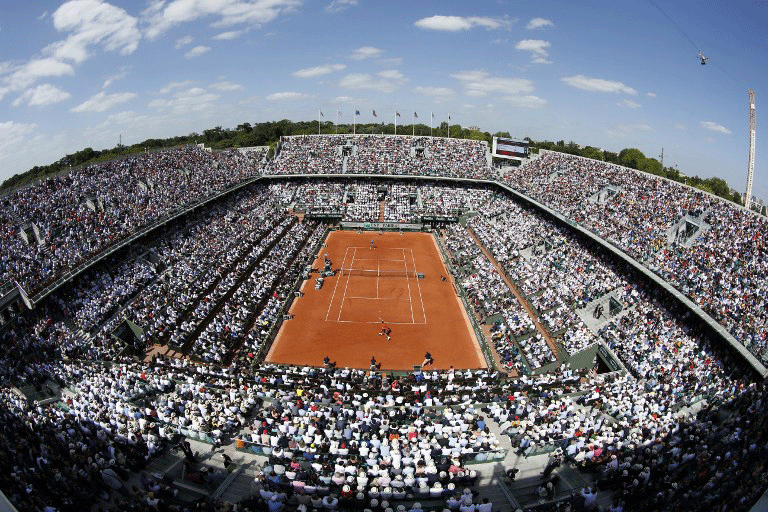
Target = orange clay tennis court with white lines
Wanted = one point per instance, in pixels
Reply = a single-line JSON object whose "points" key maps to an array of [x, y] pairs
{"points": [[343, 319]]}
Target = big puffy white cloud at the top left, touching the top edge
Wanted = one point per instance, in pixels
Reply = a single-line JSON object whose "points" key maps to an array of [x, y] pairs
{"points": [[90, 23]]}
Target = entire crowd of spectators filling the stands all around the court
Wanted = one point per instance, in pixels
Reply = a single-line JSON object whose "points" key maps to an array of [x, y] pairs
{"points": [[214, 286]]}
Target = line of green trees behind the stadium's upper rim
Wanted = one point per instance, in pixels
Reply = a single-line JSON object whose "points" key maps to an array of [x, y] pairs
{"points": [[269, 133]]}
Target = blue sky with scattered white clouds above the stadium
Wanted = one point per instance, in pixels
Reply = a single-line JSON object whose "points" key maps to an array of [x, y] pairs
{"points": [[610, 74]]}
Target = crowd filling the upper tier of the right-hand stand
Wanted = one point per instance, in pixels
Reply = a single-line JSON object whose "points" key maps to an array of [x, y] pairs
{"points": [[718, 266]]}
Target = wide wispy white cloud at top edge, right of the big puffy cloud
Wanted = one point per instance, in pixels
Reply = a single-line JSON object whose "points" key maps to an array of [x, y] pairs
{"points": [[162, 15]]}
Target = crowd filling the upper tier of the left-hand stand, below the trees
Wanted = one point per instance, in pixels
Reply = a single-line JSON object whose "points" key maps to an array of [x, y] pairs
{"points": [[82, 212]]}
